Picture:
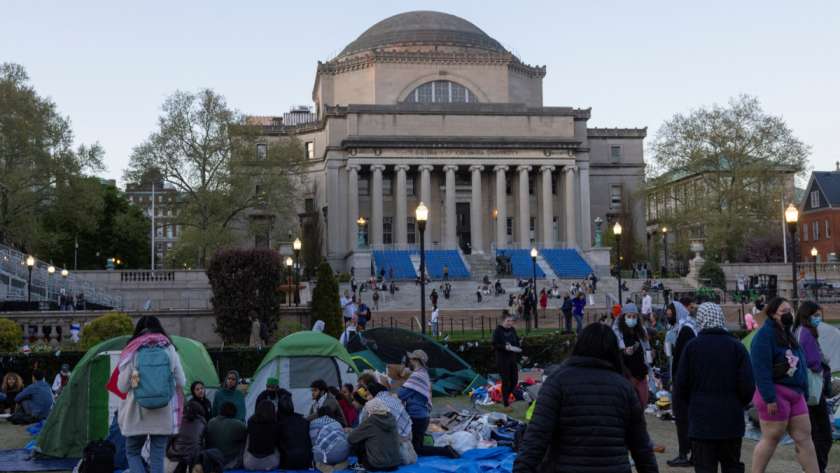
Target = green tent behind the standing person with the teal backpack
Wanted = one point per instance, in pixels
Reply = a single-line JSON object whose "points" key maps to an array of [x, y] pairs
{"points": [[84, 410]]}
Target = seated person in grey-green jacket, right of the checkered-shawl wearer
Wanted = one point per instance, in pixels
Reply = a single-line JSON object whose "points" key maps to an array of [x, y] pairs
{"points": [[376, 442]]}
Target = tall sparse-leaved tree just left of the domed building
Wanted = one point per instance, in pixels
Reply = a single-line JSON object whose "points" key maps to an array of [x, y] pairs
{"points": [[207, 151]]}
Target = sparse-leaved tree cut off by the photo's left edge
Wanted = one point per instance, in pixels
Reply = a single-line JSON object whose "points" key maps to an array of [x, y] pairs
{"points": [[37, 157]]}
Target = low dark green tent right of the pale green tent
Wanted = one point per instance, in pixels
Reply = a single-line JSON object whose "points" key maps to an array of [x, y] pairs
{"points": [[449, 373]]}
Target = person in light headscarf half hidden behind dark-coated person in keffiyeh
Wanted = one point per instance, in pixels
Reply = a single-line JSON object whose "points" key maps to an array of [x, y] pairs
{"points": [[684, 332]]}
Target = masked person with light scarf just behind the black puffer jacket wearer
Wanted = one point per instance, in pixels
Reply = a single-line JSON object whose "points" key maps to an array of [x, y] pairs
{"points": [[635, 349]]}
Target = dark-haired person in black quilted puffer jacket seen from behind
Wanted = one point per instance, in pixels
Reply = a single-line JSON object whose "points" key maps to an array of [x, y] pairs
{"points": [[588, 415]]}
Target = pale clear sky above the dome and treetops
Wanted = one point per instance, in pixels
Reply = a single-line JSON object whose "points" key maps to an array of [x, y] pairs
{"points": [[109, 65]]}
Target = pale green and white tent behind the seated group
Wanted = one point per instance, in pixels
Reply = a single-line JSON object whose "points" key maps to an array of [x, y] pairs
{"points": [[296, 361]]}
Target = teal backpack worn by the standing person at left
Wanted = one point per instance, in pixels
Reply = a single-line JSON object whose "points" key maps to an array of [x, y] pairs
{"points": [[156, 385]]}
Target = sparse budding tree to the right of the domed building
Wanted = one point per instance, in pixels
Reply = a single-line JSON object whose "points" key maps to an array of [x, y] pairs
{"points": [[744, 158]]}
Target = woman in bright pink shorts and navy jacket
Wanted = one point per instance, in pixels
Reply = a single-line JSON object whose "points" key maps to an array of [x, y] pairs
{"points": [[781, 380]]}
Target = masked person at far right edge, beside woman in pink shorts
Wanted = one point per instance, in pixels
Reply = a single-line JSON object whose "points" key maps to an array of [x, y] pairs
{"points": [[808, 319]]}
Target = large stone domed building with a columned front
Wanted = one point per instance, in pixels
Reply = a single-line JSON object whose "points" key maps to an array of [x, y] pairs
{"points": [[425, 106]]}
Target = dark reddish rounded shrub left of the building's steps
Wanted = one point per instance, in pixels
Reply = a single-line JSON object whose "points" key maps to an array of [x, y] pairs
{"points": [[244, 281]]}
